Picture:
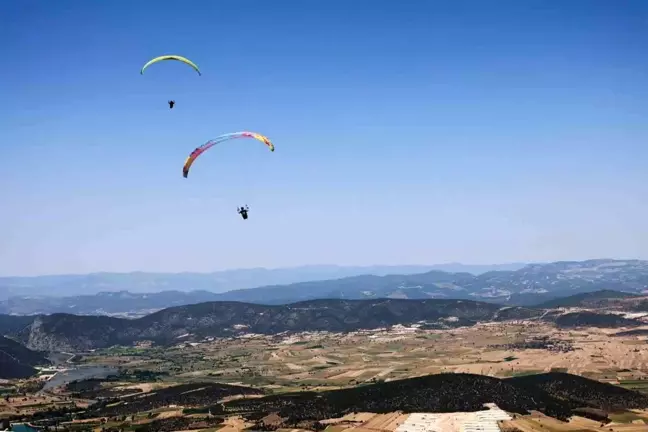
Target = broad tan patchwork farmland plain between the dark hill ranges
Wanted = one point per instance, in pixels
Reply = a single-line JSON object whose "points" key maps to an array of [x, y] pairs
{"points": [[324, 360]]}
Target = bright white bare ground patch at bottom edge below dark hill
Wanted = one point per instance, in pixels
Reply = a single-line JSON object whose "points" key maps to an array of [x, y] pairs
{"points": [[482, 421]]}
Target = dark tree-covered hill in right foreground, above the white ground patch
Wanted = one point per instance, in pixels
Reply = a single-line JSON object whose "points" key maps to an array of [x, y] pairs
{"points": [[555, 394]]}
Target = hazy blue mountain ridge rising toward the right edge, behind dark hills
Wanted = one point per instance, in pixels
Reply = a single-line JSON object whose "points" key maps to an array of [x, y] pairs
{"points": [[527, 286]]}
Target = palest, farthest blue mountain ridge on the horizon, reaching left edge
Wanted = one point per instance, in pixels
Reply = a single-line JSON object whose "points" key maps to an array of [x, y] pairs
{"points": [[221, 281]]}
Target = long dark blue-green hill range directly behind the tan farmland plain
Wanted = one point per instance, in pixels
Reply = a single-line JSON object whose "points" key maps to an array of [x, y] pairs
{"points": [[70, 333]]}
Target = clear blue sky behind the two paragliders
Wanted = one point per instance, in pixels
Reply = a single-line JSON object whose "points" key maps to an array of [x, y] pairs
{"points": [[405, 132]]}
